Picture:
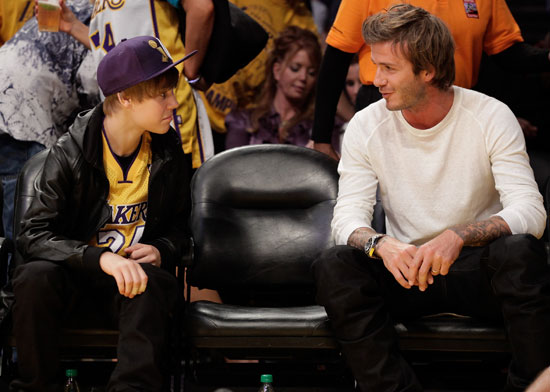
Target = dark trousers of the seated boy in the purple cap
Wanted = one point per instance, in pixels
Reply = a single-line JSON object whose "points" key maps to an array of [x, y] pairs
{"points": [[49, 296]]}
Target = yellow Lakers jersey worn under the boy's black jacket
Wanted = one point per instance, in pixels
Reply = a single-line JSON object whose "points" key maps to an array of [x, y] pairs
{"points": [[128, 194]]}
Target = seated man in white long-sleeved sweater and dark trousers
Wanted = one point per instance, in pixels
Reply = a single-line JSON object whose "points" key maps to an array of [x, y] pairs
{"points": [[463, 212]]}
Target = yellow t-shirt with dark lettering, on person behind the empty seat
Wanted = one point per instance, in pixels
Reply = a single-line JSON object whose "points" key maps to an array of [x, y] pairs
{"points": [[273, 16]]}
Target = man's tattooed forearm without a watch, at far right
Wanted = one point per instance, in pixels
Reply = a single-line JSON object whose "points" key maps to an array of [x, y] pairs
{"points": [[481, 233]]}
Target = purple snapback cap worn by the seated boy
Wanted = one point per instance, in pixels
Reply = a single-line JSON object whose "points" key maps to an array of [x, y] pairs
{"points": [[133, 61]]}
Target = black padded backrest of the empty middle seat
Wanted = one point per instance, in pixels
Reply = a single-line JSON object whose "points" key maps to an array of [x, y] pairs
{"points": [[261, 214]]}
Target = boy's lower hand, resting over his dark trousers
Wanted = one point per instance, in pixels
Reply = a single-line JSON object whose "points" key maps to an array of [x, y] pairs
{"points": [[130, 277]]}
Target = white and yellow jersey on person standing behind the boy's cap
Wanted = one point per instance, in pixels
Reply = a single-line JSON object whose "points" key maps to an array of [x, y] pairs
{"points": [[114, 20]]}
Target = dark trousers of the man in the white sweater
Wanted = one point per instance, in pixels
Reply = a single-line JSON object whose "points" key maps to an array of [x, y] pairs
{"points": [[507, 280]]}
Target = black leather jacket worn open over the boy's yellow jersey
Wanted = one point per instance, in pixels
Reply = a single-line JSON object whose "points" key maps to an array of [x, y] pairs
{"points": [[72, 199]]}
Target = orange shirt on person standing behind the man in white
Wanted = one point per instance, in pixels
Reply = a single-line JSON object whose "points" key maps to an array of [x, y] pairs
{"points": [[477, 26]]}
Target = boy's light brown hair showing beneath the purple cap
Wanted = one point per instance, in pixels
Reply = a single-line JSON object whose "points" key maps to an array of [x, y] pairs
{"points": [[147, 89]]}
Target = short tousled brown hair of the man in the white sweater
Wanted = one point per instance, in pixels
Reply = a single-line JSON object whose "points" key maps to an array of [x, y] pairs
{"points": [[422, 37]]}
